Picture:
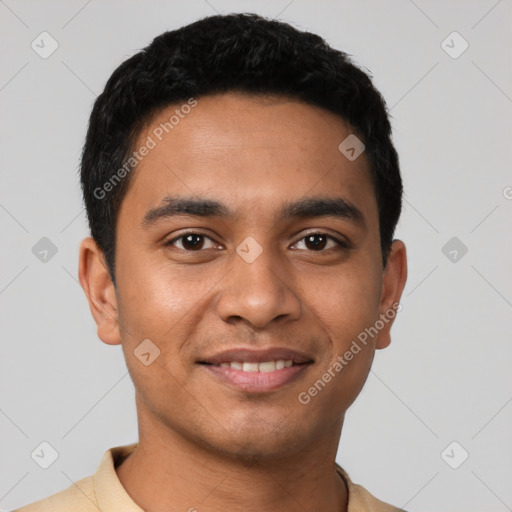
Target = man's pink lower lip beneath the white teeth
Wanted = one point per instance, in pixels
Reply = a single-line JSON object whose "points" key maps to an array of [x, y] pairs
{"points": [[256, 382]]}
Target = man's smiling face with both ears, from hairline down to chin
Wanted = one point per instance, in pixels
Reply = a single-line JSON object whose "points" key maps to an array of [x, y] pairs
{"points": [[248, 253]]}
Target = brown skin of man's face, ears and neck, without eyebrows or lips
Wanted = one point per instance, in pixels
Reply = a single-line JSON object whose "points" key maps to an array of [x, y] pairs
{"points": [[202, 443]]}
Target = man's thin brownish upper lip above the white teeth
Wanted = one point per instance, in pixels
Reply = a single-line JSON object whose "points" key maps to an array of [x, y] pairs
{"points": [[257, 356]]}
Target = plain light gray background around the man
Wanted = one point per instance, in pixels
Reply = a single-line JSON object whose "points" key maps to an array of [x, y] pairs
{"points": [[446, 375]]}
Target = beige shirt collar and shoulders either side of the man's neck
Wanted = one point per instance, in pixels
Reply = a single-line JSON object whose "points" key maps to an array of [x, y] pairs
{"points": [[103, 491]]}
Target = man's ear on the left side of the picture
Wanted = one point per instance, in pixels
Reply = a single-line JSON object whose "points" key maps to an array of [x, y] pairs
{"points": [[100, 291]]}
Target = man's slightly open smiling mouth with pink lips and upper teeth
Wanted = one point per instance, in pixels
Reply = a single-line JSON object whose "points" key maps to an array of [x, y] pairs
{"points": [[259, 371]]}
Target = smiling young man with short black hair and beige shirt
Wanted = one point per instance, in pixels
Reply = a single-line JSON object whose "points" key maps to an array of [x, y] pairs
{"points": [[242, 191]]}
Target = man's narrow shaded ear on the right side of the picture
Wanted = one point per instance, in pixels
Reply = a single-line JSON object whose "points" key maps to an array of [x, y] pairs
{"points": [[393, 282]]}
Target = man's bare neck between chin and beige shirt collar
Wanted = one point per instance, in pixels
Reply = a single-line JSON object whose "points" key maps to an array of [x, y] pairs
{"points": [[168, 473]]}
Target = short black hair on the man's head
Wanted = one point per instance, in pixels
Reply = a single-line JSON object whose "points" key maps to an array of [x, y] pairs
{"points": [[230, 53]]}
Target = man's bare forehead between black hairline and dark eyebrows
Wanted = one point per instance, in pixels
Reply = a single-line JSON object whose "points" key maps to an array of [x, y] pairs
{"points": [[252, 152]]}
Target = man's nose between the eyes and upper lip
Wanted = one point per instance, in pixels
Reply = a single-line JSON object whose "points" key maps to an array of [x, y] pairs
{"points": [[258, 292]]}
